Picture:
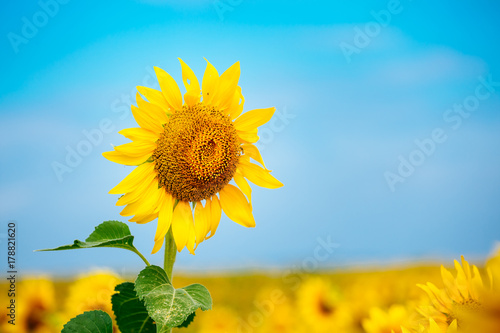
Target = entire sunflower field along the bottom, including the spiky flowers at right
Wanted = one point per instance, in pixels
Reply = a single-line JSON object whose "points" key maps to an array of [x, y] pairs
{"points": [[413, 299]]}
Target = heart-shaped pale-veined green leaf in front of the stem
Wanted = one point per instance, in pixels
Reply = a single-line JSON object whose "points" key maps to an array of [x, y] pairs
{"points": [[169, 307]]}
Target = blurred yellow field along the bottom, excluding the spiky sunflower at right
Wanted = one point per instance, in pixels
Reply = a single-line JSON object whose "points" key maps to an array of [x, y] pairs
{"points": [[368, 300]]}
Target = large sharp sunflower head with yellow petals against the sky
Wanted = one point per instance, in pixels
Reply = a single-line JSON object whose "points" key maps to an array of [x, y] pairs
{"points": [[188, 153]]}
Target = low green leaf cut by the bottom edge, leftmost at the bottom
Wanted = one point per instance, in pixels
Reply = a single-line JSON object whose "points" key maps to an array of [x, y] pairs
{"points": [[96, 321]]}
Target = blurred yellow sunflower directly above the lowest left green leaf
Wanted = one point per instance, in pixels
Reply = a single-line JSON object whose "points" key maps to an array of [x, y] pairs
{"points": [[91, 292]]}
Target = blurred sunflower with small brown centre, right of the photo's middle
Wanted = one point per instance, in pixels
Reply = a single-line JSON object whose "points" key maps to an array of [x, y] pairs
{"points": [[321, 306]]}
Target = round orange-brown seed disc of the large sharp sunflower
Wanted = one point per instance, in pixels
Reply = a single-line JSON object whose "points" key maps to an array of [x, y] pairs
{"points": [[197, 153]]}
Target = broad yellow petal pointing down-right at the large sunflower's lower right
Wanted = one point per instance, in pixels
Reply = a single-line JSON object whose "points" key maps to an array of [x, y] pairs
{"points": [[236, 206]]}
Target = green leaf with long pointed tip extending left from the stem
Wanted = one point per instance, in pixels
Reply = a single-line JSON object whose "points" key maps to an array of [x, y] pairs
{"points": [[107, 234]]}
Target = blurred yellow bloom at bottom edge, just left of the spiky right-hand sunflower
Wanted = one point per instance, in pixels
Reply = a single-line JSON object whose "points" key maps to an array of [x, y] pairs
{"points": [[381, 321]]}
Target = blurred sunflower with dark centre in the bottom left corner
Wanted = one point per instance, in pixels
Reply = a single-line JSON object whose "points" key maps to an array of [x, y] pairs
{"points": [[35, 308]]}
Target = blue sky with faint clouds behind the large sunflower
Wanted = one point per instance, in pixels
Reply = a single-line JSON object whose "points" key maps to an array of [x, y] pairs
{"points": [[386, 135]]}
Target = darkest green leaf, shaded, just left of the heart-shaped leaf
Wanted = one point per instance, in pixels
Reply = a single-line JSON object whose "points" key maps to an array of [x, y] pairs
{"points": [[130, 312]]}
